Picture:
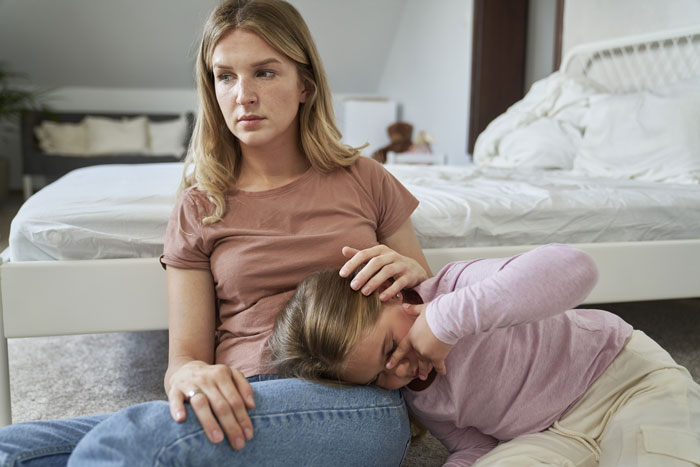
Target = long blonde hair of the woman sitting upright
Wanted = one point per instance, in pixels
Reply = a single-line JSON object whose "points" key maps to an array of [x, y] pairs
{"points": [[213, 159]]}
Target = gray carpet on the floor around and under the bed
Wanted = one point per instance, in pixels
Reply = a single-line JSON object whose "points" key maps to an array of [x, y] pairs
{"points": [[54, 377]]}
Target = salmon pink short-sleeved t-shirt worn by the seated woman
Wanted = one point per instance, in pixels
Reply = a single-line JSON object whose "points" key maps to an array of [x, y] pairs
{"points": [[268, 241]]}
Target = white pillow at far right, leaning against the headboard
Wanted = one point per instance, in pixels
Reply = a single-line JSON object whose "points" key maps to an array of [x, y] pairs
{"points": [[650, 135]]}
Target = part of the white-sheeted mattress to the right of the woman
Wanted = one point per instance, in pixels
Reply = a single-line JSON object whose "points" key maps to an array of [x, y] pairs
{"points": [[474, 206]]}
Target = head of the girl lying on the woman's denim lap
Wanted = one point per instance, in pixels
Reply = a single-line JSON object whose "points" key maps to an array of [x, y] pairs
{"points": [[328, 331]]}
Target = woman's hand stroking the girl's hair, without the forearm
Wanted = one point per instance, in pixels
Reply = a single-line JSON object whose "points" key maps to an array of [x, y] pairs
{"points": [[381, 263]]}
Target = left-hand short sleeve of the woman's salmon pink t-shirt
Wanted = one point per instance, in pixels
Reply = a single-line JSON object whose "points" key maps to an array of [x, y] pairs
{"points": [[184, 238]]}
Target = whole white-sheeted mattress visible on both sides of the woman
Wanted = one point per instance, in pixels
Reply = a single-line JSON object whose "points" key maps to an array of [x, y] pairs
{"points": [[121, 211]]}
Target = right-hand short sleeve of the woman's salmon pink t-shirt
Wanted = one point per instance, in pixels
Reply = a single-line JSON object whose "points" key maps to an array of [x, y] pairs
{"points": [[392, 201]]}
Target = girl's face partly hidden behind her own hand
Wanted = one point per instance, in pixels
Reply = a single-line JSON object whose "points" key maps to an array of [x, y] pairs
{"points": [[367, 359]]}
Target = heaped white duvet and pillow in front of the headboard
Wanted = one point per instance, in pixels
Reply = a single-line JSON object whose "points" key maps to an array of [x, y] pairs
{"points": [[564, 123]]}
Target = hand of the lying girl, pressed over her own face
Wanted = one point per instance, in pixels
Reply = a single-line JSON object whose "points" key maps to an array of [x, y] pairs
{"points": [[421, 339]]}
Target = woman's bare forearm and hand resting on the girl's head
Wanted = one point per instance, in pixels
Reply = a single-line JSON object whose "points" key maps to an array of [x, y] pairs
{"points": [[399, 257]]}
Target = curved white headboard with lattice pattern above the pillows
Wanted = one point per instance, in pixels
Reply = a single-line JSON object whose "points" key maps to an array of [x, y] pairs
{"points": [[636, 63]]}
